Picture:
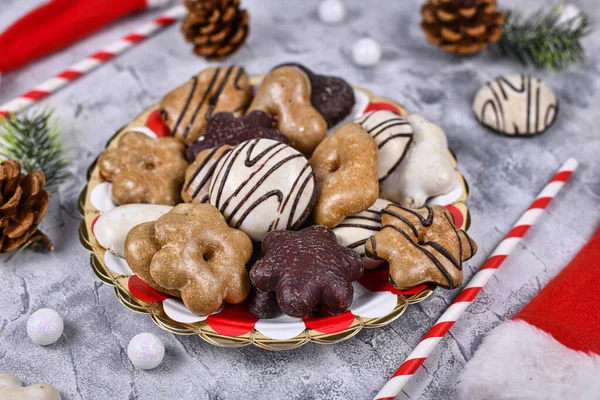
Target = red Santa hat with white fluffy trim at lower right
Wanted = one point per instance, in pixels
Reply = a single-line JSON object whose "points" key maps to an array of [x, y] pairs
{"points": [[551, 348]]}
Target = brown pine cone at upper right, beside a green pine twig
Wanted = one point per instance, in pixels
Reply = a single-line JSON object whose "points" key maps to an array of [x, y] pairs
{"points": [[462, 26]]}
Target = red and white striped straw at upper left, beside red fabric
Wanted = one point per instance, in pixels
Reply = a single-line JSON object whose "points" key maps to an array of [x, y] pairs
{"points": [[92, 62]]}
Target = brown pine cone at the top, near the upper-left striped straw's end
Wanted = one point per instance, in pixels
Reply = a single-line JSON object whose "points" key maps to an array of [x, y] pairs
{"points": [[217, 28]]}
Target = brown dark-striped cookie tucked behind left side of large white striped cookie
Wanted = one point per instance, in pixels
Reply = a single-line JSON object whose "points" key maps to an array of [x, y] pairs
{"points": [[199, 173]]}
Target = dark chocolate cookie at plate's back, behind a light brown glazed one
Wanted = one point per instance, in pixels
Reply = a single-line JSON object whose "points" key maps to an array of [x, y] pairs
{"points": [[333, 97]]}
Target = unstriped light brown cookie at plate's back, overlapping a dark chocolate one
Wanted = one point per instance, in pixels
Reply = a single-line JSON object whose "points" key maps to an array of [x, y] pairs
{"points": [[285, 93]]}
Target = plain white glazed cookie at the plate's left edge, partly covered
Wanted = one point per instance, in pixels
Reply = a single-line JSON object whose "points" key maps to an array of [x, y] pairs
{"points": [[113, 226]]}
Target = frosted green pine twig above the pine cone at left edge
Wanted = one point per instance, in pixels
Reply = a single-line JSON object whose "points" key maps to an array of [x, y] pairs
{"points": [[33, 139]]}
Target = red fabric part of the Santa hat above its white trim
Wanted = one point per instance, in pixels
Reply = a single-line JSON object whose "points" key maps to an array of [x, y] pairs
{"points": [[568, 307]]}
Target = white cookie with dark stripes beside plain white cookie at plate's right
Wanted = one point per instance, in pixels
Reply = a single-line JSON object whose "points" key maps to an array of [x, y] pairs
{"points": [[393, 135]]}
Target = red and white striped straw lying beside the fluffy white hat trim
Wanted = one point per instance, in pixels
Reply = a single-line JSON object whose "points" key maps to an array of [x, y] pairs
{"points": [[477, 282]]}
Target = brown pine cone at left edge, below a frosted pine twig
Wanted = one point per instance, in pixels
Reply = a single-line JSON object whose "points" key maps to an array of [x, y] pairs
{"points": [[23, 204]]}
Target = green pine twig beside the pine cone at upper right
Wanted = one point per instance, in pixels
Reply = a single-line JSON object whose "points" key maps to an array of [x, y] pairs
{"points": [[543, 39]]}
